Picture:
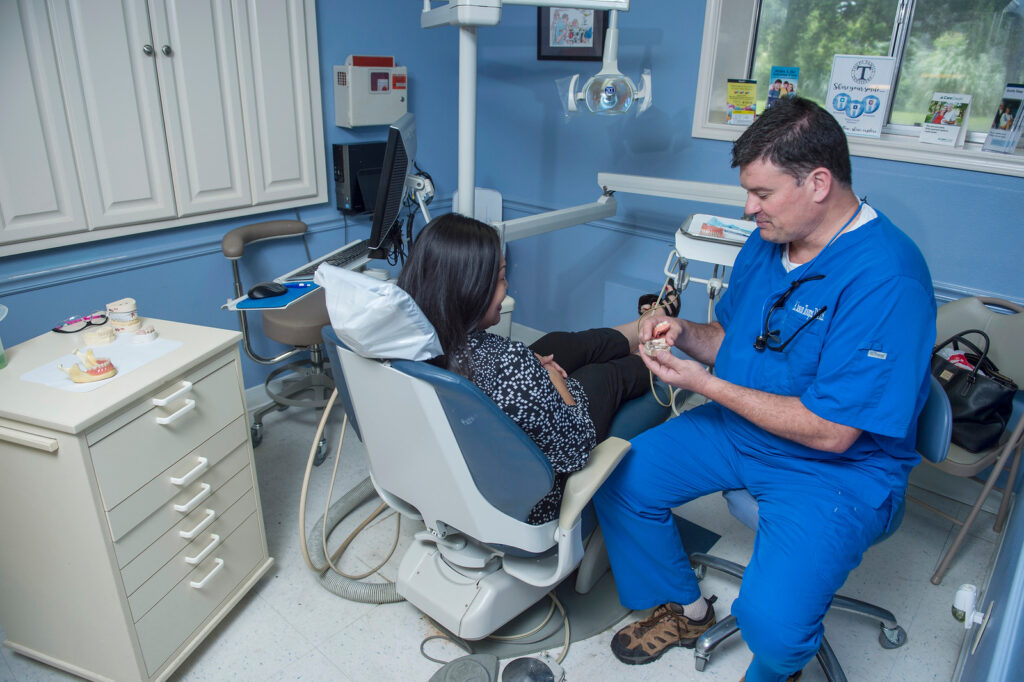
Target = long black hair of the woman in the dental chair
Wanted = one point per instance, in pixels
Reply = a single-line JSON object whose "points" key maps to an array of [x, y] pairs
{"points": [[452, 274]]}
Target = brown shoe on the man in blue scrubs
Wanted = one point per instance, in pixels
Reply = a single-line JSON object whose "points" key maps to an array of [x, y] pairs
{"points": [[647, 641]]}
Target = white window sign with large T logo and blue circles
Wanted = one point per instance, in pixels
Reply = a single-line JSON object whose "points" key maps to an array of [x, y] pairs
{"points": [[859, 93]]}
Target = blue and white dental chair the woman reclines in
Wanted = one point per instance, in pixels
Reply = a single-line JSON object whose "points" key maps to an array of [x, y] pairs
{"points": [[443, 452]]}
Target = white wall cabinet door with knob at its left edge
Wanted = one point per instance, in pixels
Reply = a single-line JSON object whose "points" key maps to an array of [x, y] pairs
{"points": [[198, 67]]}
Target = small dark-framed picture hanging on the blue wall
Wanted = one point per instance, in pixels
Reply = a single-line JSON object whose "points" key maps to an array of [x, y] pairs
{"points": [[565, 33]]}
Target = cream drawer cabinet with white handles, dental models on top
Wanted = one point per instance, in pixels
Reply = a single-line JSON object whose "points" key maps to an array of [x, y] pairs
{"points": [[134, 521]]}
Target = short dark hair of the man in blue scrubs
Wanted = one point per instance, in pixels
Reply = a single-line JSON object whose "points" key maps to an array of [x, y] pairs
{"points": [[798, 137]]}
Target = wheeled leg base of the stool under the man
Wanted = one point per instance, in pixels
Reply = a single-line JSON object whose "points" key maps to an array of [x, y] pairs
{"points": [[891, 634]]}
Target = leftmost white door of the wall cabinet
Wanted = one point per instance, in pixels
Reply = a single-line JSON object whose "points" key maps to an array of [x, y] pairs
{"points": [[39, 194]]}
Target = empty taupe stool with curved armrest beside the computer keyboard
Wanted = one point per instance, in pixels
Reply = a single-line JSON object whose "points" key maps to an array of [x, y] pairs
{"points": [[297, 326]]}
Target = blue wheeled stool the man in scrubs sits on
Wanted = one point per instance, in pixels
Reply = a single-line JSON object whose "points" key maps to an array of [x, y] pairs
{"points": [[934, 432]]}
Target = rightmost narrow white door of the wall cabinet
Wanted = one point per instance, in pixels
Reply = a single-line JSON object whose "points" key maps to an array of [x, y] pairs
{"points": [[277, 47]]}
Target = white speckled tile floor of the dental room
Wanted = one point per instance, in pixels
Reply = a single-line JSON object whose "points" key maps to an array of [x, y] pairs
{"points": [[290, 628]]}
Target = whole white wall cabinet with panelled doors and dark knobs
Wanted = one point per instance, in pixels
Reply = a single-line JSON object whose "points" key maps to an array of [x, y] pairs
{"points": [[133, 115]]}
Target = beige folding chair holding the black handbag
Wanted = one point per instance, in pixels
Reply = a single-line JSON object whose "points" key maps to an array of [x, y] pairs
{"points": [[1006, 331]]}
